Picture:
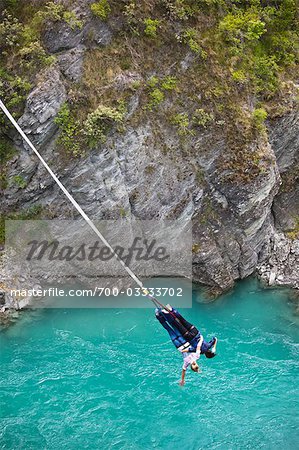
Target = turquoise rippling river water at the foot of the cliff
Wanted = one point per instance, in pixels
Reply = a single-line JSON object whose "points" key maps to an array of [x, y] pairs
{"points": [[108, 378]]}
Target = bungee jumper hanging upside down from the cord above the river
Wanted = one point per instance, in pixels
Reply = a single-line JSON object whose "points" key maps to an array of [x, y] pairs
{"points": [[186, 338]]}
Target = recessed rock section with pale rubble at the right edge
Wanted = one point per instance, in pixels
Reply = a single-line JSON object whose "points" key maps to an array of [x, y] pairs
{"points": [[281, 267]]}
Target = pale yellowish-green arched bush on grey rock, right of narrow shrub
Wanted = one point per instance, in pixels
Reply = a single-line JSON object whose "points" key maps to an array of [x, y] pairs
{"points": [[100, 121]]}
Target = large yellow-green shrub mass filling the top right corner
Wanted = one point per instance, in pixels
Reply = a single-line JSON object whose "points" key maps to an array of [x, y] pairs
{"points": [[260, 38]]}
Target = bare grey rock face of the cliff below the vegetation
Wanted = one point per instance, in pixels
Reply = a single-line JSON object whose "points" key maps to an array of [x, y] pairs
{"points": [[150, 171]]}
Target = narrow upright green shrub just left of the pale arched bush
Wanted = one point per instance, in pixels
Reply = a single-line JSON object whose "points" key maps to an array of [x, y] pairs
{"points": [[69, 138]]}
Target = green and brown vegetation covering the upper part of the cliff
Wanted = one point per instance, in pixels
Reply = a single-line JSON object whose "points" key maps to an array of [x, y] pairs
{"points": [[239, 49]]}
